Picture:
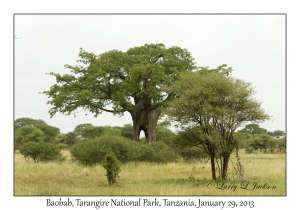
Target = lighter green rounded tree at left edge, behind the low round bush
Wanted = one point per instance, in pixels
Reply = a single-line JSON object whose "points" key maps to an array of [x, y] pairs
{"points": [[27, 134]]}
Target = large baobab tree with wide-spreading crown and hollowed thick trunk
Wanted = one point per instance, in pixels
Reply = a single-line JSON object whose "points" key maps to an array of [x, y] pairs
{"points": [[130, 81]]}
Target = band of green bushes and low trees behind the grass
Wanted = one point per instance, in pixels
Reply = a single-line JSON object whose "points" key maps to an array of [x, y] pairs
{"points": [[42, 142]]}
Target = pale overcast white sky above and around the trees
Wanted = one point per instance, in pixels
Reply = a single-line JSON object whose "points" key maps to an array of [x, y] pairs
{"points": [[253, 45]]}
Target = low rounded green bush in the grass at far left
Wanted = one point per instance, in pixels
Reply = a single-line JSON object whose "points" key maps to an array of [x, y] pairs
{"points": [[40, 151]]}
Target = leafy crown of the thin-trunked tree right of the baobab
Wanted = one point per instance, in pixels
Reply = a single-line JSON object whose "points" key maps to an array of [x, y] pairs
{"points": [[214, 97]]}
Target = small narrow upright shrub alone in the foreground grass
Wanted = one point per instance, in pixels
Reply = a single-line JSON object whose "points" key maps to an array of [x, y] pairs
{"points": [[112, 166]]}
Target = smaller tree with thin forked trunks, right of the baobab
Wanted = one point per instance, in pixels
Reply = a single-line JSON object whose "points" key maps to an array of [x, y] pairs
{"points": [[210, 106]]}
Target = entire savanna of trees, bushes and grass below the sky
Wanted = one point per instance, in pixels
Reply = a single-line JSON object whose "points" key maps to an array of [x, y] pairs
{"points": [[218, 143]]}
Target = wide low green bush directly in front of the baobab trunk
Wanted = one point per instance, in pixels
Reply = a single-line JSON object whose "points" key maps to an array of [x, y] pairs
{"points": [[91, 152]]}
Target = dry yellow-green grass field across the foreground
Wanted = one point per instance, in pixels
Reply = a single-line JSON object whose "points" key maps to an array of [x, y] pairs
{"points": [[265, 174]]}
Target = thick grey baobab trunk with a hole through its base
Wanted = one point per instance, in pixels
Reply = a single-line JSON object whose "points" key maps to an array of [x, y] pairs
{"points": [[145, 120]]}
